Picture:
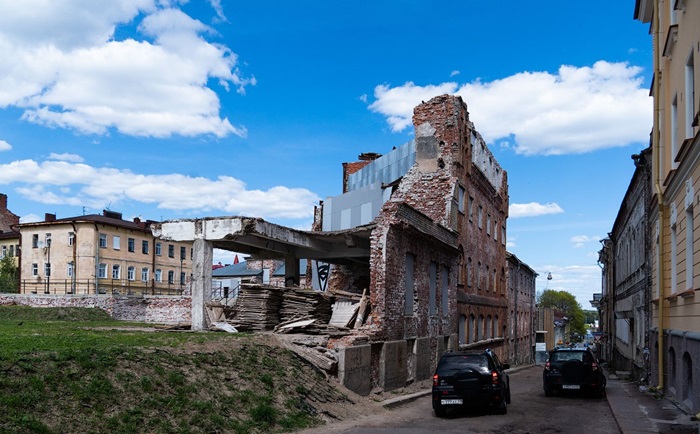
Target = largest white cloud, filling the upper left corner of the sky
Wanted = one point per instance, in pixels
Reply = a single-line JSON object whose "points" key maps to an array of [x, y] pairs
{"points": [[69, 71]]}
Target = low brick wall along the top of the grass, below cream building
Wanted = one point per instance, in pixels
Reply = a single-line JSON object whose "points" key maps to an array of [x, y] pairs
{"points": [[148, 309]]}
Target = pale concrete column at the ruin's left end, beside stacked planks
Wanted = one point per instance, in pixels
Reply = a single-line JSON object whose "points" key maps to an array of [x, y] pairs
{"points": [[201, 283]]}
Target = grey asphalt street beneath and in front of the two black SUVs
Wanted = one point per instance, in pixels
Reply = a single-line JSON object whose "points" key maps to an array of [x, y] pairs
{"points": [[529, 412]]}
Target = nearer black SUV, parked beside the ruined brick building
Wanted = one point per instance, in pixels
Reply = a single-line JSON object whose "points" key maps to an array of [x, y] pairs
{"points": [[470, 378]]}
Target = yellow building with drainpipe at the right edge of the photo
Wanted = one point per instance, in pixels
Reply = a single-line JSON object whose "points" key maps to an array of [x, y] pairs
{"points": [[675, 333]]}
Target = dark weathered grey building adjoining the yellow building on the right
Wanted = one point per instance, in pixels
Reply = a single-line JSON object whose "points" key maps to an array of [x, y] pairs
{"points": [[626, 267]]}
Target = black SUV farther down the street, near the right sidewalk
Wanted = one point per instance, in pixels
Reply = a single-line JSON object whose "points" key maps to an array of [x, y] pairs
{"points": [[573, 369]]}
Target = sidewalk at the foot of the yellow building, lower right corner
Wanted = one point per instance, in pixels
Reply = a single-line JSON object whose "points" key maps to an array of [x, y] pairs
{"points": [[637, 411]]}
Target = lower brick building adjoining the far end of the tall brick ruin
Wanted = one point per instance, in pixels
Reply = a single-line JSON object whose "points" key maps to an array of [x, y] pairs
{"points": [[521, 311]]}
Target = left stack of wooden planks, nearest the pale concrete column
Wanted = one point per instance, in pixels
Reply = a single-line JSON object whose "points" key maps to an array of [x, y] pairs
{"points": [[257, 308]]}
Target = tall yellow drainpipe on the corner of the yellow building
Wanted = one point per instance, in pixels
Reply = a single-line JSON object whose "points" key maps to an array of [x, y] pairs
{"points": [[657, 186]]}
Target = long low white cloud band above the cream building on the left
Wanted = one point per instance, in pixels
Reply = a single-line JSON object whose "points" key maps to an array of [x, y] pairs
{"points": [[77, 184]]}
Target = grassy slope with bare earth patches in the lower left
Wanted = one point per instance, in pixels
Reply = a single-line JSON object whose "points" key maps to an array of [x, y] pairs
{"points": [[75, 370]]}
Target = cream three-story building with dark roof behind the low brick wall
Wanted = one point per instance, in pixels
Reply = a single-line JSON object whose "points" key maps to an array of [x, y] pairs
{"points": [[100, 254]]}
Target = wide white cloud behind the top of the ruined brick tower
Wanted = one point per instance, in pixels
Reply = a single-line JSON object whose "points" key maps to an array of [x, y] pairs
{"points": [[576, 110]]}
